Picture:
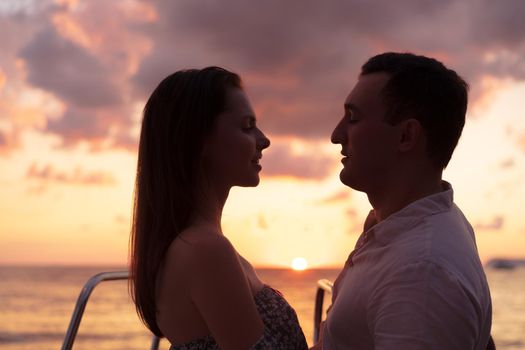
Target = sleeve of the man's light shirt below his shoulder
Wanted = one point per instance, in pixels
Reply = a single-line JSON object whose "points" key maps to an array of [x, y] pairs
{"points": [[423, 306]]}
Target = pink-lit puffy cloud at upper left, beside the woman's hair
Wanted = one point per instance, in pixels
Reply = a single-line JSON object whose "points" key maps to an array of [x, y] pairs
{"points": [[83, 55]]}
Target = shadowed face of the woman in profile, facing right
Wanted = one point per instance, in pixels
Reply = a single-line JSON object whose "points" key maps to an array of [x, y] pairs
{"points": [[233, 150]]}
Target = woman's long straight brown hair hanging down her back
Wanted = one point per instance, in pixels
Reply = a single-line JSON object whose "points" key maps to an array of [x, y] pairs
{"points": [[178, 116]]}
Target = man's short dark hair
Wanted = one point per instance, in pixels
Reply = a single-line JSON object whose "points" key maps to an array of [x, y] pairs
{"points": [[424, 89]]}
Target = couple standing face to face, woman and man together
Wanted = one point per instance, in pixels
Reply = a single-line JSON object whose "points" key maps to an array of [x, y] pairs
{"points": [[414, 279]]}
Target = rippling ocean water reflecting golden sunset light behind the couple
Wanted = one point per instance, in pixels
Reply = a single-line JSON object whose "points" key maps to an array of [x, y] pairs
{"points": [[36, 305]]}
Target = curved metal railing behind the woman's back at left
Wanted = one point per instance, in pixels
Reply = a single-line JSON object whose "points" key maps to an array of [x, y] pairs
{"points": [[82, 302]]}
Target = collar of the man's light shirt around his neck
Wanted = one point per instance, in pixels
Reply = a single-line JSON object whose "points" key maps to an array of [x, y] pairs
{"points": [[399, 222]]}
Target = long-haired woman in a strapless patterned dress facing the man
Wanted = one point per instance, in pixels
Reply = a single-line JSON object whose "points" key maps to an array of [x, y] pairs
{"points": [[199, 138]]}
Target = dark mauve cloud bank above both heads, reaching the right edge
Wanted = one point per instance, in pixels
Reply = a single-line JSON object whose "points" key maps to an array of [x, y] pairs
{"points": [[299, 61]]}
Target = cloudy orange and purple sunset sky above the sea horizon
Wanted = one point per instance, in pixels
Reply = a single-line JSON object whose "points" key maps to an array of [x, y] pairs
{"points": [[74, 77]]}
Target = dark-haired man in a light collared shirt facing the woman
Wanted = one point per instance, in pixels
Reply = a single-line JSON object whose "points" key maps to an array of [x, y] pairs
{"points": [[414, 280]]}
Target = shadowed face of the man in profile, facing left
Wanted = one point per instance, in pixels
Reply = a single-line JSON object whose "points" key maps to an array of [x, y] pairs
{"points": [[369, 143]]}
